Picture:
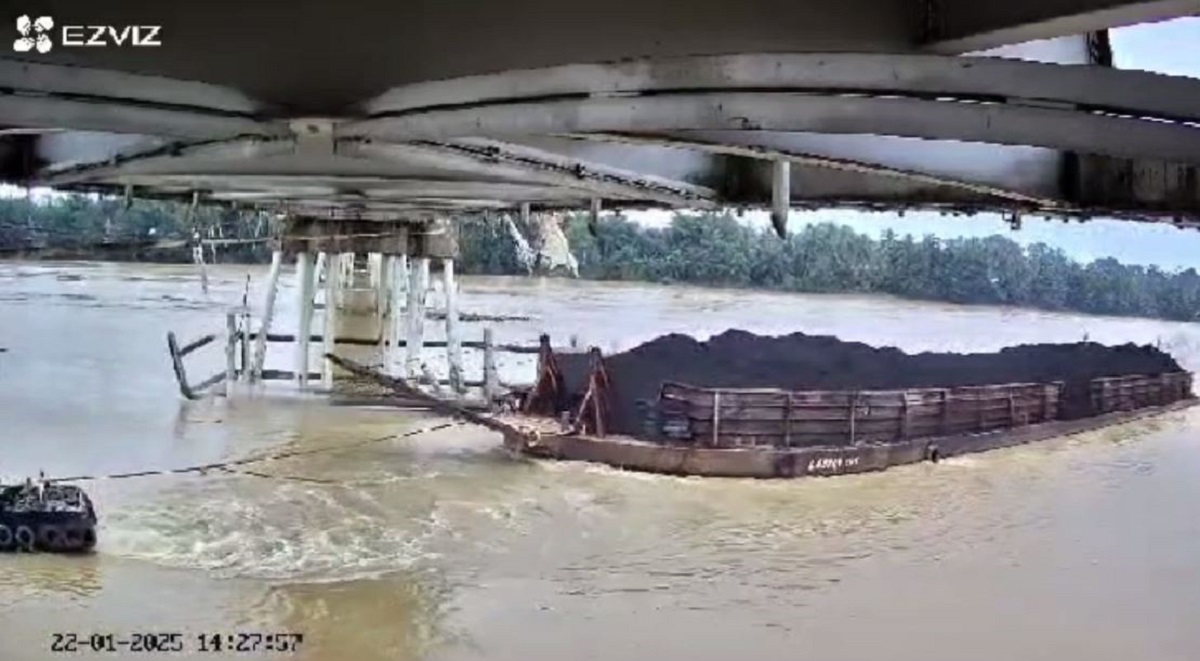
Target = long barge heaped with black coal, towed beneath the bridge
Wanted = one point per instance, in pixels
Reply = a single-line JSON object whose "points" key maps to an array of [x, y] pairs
{"points": [[747, 406]]}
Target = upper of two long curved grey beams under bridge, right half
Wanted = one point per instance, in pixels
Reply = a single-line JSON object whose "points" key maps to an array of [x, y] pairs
{"points": [[983, 80]]}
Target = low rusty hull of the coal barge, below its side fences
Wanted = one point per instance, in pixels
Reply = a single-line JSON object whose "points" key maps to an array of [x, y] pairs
{"points": [[629, 454]]}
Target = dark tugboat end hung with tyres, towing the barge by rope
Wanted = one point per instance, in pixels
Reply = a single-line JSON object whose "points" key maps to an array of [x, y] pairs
{"points": [[47, 518]]}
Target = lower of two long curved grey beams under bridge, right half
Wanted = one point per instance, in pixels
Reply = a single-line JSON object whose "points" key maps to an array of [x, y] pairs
{"points": [[940, 121]]}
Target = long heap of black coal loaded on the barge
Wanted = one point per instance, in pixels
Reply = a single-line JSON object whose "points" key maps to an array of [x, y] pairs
{"points": [[799, 362]]}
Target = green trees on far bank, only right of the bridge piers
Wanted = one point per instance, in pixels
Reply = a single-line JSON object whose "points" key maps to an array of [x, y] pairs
{"points": [[716, 250]]}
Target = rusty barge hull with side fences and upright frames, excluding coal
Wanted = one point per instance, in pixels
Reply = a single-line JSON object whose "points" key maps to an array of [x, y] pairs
{"points": [[778, 434]]}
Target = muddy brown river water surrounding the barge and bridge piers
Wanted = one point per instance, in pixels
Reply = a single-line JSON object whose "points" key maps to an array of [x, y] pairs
{"points": [[442, 548]]}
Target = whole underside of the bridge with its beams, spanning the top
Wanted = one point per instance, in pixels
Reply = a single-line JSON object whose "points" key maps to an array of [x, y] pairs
{"points": [[428, 109]]}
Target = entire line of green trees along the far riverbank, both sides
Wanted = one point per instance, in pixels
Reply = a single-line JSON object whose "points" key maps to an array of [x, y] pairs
{"points": [[711, 249]]}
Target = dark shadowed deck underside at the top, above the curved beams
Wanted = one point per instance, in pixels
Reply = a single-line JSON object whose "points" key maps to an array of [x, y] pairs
{"points": [[272, 57]]}
